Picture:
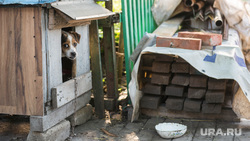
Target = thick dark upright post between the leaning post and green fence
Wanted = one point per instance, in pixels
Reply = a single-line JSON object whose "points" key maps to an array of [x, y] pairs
{"points": [[110, 59]]}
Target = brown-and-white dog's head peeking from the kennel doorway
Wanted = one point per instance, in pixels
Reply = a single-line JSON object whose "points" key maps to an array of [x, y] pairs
{"points": [[69, 43]]}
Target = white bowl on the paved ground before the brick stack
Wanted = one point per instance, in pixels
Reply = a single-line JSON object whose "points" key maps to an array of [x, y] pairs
{"points": [[170, 130]]}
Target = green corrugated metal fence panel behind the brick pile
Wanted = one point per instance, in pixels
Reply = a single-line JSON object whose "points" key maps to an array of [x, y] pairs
{"points": [[137, 19]]}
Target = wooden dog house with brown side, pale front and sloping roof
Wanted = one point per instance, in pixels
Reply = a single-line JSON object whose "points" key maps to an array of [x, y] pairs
{"points": [[30, 61]]}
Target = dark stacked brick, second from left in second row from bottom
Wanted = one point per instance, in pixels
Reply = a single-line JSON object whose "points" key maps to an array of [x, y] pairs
{"points": [[174, 90]]}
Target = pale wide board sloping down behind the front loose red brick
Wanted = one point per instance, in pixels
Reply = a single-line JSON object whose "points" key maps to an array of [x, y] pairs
{"points": [[169, 27]]}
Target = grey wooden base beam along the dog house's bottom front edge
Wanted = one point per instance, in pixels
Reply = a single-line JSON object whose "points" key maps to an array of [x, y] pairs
{"points": [[42, 123]]}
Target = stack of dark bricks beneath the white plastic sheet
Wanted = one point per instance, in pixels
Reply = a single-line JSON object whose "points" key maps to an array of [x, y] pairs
{"points": [[175, 83]]}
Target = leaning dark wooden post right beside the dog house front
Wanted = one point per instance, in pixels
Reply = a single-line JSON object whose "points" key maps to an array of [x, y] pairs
{"points": [[96, 69]]}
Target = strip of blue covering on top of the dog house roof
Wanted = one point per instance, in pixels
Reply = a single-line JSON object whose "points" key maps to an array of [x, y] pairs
{"points": [[5, 2]]}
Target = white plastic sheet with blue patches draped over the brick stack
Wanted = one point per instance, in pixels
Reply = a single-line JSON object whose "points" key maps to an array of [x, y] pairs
{"points": [[221, 62]]}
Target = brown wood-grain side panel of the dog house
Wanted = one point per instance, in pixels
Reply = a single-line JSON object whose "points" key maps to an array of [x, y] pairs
{"points": [[20, 61]]}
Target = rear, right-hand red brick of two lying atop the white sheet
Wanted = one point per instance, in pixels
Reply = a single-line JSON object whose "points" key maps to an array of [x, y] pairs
{"points": [[208, 39]]}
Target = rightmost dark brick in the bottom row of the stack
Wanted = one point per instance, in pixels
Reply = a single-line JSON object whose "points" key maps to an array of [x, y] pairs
{"points": [[211, 108]]}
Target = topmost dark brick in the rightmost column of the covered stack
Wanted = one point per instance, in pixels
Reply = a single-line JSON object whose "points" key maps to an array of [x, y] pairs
{"points": [[217, 84]]}
